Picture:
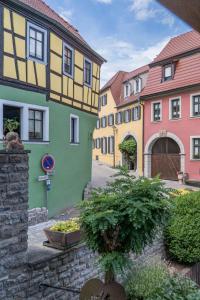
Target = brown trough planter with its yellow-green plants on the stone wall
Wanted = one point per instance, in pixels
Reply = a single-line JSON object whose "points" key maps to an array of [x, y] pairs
{"points": [[64, 233]]}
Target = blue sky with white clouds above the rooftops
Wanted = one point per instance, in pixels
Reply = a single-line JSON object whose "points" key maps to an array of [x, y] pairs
{"points": [[127, 33]]}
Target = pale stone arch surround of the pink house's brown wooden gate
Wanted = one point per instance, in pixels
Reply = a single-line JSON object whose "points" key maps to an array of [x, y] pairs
{"points": [[148, 151]]}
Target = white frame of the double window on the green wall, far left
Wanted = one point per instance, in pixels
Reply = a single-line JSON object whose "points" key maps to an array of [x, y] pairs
{"points": [[24, 111]]}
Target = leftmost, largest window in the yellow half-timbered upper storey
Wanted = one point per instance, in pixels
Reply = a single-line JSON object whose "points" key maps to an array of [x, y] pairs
{"points": [[37, 43]]}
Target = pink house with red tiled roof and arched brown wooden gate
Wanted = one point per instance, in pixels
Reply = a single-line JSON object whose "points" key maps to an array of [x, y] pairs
{"points": [[172, 110]]}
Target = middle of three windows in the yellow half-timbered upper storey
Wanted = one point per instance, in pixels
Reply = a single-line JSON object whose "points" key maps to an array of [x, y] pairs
{"points": [[68, 60]]}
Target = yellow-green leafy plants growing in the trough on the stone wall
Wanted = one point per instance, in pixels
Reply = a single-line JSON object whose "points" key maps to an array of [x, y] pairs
{"points": [[66, 226]]}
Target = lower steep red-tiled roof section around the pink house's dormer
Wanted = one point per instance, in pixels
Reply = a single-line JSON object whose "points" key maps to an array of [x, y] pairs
{"points": [[187, 73]]}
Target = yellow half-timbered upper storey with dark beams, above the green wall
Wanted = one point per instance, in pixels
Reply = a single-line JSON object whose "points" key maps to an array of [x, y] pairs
{"points": [[17, 70]]}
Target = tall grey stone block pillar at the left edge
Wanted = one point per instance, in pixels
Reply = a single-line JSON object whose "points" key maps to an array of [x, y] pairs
{"points": [[13, 217]]}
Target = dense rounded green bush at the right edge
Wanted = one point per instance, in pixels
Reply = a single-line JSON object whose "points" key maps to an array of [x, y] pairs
{"points": [[182, 233]]}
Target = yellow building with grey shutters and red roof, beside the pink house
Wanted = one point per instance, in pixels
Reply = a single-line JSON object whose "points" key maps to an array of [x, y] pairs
{"points": [[120, 118]]}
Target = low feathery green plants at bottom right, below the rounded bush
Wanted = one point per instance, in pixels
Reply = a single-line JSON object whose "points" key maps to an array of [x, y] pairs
{"points": [[155, 283]]}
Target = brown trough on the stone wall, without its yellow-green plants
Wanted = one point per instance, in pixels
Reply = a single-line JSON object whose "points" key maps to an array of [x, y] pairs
{"points": [[62, 239]]}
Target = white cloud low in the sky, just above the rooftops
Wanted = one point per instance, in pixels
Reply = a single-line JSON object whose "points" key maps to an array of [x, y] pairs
{"points": [[121, 55]]}
